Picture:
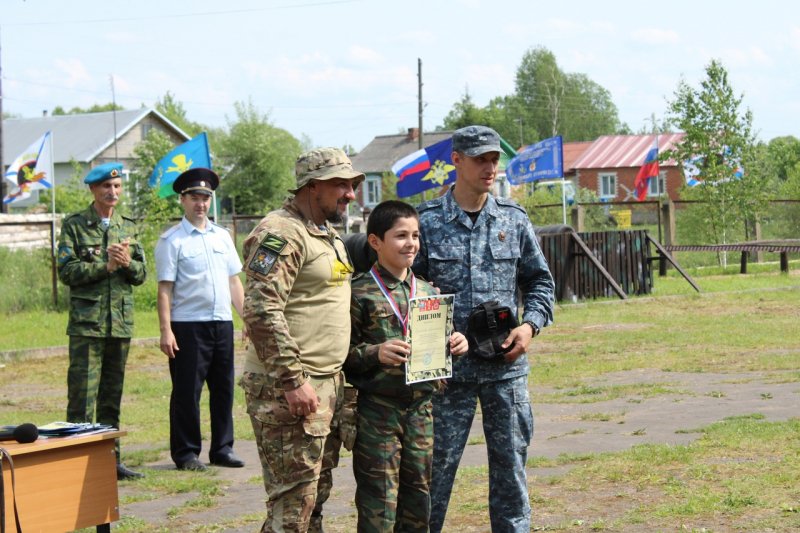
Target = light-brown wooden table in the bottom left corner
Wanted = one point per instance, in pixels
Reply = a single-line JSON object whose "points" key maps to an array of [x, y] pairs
{"points": [[63, 484]]}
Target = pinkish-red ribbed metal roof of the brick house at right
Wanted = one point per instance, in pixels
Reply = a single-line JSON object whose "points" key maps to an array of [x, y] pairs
{"points": [[616, 151]]}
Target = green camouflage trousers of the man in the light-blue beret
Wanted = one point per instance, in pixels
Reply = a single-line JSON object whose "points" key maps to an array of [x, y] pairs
{"points": [[95, 379]]}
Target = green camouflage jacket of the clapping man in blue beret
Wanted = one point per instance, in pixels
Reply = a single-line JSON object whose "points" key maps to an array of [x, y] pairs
{"points": [[101, 302]]}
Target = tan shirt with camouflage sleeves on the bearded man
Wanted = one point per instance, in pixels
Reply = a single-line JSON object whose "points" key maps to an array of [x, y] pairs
{"points": [[297, 298]]}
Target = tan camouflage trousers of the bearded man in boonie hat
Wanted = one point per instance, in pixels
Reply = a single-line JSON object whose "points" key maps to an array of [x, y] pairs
{"points": [[294, 451]]}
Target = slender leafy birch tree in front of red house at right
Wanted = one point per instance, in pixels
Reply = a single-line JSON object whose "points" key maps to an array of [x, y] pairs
{"points": [[719, 136]]}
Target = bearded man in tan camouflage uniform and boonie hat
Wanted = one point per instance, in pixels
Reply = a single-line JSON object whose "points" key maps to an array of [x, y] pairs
{"points": [[297, 302]]}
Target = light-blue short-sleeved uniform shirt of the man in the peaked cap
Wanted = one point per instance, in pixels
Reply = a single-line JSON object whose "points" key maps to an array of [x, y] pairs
{"points": [[200, 264]]}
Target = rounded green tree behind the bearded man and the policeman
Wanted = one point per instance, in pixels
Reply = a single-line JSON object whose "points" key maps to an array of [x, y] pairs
{"points": [[258, 161]]}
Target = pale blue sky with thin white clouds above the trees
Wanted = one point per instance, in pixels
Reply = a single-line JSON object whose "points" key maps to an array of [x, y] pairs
{"points": [[343, 71]]}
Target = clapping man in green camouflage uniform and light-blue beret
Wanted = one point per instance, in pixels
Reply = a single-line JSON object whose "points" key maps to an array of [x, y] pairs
{"points": [[100, 259]]}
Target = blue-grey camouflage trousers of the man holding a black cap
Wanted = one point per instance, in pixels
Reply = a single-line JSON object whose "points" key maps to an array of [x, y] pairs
{"points": [[508, 429]]}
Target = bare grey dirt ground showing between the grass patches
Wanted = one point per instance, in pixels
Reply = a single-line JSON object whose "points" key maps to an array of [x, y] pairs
{"points": [[700, 399]]}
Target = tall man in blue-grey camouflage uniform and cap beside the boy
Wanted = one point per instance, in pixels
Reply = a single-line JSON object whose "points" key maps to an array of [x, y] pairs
{"points": [[483, 248]]}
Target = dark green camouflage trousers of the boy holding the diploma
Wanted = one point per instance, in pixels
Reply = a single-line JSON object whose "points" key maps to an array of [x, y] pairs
{"points": [[392, 463]]}
